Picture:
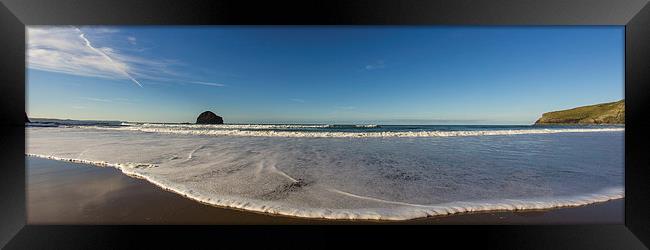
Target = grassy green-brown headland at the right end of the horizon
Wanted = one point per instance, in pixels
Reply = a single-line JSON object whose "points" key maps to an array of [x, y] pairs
{"points": [[604, 113]]}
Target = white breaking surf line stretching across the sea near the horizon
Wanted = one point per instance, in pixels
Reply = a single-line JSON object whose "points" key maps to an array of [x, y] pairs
{"points": [[244, 130]]}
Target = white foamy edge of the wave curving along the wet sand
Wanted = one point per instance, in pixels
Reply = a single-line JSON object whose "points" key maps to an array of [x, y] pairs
{"points": [[405, 211]]}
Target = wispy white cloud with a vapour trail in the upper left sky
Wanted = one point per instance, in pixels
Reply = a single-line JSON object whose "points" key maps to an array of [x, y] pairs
{"points": [[75, 51]]}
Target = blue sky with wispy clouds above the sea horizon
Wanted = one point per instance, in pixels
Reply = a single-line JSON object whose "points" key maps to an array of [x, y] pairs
{"points": [[321, 74]]}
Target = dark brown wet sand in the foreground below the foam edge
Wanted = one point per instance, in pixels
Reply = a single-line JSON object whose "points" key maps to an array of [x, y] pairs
{"points": [[71, 193]]}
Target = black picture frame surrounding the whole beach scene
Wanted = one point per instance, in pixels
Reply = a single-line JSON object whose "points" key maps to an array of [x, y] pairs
{"points": [[634, 15]]}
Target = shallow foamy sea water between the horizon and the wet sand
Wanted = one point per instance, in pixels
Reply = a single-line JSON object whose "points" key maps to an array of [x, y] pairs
{"points": [[354, 171]]}
